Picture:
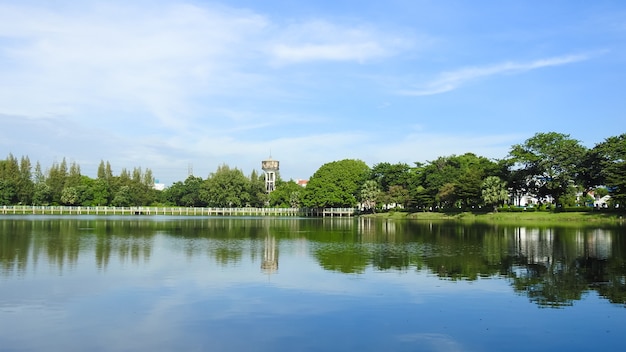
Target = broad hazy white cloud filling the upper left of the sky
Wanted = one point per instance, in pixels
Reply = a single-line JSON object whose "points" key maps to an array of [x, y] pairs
{"points": [[153, 61]]}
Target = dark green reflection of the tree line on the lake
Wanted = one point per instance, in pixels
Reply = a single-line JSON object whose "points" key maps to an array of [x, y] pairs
{"points": [[553, 266]]}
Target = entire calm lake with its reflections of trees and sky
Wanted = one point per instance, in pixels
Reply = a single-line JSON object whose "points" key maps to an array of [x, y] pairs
{"points": [[161, 283]]}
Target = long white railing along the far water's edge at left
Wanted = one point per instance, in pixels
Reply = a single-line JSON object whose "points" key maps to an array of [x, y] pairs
{"points": [[104, 210]]}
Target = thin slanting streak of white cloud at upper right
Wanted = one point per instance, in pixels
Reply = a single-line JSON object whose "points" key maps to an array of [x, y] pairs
{"points": [[452, 80]]}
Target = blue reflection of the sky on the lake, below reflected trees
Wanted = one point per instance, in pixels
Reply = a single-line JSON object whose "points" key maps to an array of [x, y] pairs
{"points": [[181, 297]]}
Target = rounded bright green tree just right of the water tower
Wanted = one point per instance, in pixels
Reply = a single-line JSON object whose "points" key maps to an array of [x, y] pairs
{"points": [[336, 184]]}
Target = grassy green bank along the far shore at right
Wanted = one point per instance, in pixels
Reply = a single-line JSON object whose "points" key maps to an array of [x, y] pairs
{"points": [[565, 217]]}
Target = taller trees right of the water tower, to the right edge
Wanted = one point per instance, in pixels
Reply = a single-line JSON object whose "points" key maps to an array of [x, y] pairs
{"points": [[552, 168]]}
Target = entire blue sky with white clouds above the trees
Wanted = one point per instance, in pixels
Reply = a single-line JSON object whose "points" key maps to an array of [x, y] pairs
{"points": [[169, 84]]}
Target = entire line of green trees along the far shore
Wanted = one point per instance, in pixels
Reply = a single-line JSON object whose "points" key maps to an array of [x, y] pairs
{"points": [[552, 167]]}
